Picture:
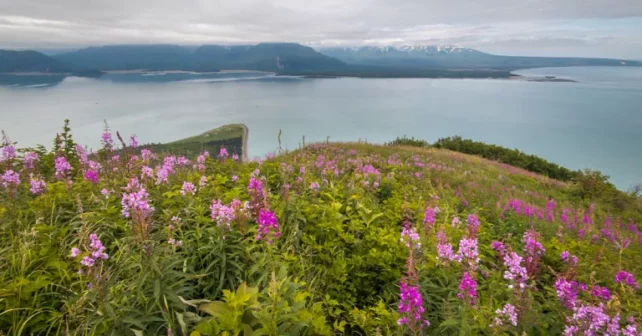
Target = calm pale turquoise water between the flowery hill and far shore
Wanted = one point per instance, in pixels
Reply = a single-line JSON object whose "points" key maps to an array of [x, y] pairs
{"points": [[595, 123]]}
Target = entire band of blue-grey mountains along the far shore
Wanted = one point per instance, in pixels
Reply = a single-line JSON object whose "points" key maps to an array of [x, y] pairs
{"points": [[291, 58]]}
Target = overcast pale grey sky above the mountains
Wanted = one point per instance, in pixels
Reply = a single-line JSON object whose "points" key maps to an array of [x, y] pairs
{"points": [[604, 28]]}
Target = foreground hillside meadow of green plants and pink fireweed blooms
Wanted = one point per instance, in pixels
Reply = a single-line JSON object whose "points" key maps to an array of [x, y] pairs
{"points": [[329, 239]]}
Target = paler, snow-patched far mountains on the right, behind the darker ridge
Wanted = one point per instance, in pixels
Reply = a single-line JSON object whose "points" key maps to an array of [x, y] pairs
{"points": [[451, 57]]}
